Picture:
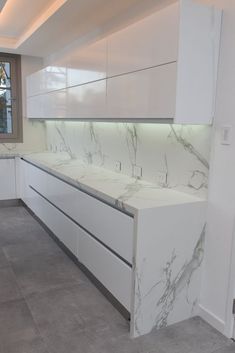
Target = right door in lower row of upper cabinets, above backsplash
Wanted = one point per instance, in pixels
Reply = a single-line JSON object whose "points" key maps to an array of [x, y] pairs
{"points": [[148, 93]]}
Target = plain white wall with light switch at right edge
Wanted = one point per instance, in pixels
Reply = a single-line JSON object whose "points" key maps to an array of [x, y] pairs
{"points": [[219, 282]]}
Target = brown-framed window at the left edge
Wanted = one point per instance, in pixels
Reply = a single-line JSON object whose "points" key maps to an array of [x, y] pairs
{"points": [[10, 98]]}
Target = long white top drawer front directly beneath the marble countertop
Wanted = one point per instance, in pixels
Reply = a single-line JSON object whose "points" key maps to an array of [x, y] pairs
{"points": [[111, 226]]}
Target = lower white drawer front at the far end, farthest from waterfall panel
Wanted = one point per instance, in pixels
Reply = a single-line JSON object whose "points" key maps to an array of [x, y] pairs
{"points": [[60, 225]]}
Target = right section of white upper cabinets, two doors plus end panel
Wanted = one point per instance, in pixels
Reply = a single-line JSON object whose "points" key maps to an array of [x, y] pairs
{"points": [[186, 33]]}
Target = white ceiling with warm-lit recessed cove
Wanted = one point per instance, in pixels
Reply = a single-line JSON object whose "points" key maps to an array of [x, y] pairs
{"points": [[42, 27]]}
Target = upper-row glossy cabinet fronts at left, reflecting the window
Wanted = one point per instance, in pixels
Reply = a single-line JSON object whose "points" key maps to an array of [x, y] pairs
{"points": [[76, 67]]}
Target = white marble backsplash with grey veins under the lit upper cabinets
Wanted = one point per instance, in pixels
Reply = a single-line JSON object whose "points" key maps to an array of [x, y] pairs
{"points": [[171, 156]]}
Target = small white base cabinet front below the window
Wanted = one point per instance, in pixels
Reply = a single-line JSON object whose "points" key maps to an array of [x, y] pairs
{"points": [[7, 179]]}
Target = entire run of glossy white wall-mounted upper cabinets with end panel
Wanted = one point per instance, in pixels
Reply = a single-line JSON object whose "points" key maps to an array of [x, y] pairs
{"points": [[161, 67]]}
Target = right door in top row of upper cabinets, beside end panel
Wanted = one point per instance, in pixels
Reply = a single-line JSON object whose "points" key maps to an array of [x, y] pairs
{"points": [[150, 42]]}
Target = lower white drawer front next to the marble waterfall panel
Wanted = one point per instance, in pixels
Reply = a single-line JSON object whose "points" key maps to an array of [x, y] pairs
{"points": [[113, 273]]}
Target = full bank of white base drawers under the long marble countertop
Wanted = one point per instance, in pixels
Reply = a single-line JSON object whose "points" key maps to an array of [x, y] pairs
{"points": [[107, 245]]}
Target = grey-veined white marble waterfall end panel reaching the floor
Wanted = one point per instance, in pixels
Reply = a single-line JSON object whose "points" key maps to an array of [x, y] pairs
{"points": [[167, 266]]}
